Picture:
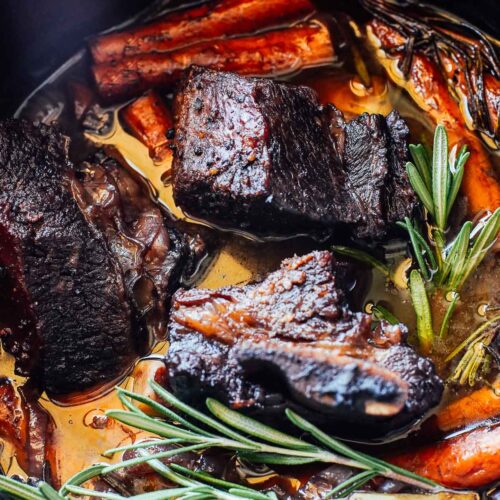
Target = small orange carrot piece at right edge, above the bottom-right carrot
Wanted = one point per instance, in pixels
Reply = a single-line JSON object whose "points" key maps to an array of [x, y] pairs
{"points": [[480, 405]]}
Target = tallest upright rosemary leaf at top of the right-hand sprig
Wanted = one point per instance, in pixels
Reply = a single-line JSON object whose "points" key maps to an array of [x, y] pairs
{"points": [[440, 176]]}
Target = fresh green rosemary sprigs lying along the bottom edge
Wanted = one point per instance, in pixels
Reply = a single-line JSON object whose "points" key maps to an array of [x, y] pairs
{"points": [[187, 429]]}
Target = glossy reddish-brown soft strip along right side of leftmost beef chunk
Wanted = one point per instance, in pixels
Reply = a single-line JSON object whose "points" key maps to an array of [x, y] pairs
{"points": [[149, 253]]}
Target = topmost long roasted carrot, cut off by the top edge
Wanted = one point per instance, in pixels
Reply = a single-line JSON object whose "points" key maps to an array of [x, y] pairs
{"points": [[213, 20]]}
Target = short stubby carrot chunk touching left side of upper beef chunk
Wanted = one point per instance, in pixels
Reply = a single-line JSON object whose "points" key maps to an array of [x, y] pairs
{"points": [[150, 121]]}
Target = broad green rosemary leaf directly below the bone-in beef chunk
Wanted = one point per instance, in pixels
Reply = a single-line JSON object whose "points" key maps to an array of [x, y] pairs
{"points": [[255, 428]]}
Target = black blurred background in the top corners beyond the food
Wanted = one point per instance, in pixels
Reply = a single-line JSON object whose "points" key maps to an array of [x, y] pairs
{"points": [[36, 36]]}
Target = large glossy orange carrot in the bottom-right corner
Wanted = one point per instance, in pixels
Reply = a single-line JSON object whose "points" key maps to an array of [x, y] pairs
{"points": [[469, 460]]}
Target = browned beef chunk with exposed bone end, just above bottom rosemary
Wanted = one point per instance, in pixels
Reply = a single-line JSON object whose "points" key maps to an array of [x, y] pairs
{"points": [[292, 340]]}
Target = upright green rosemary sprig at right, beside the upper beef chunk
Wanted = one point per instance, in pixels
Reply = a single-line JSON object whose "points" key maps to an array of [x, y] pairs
{"points": [[440, 265]]}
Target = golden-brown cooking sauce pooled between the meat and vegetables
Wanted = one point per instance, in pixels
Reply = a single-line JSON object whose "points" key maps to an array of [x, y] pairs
{"points": [[81, 431]]}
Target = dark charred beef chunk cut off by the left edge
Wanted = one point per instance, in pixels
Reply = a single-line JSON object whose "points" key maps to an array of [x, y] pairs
{"points": [[69, 316]]}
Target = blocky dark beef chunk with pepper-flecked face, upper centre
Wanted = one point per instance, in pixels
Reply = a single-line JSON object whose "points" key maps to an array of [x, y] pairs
{"points": [[265, 157]]}
